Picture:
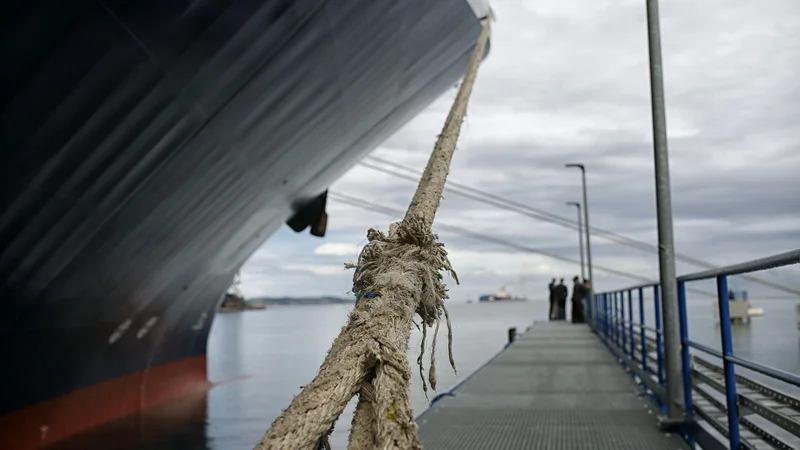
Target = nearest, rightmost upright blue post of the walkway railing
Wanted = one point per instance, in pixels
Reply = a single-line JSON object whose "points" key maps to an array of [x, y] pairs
{"points": [[731, 396]]}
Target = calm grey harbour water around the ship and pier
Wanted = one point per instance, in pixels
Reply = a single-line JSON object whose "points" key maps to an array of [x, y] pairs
{"points": [[258, 360]]}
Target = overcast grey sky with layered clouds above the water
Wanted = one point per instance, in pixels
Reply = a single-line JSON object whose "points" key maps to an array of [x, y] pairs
{"points": [[567, 81]]}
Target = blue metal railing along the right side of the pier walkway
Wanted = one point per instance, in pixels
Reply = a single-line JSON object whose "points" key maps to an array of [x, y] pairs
{"points": [[634, 340]]}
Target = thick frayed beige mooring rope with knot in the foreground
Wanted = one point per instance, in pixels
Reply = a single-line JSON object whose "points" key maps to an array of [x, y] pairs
{"points": [[398, 276]]}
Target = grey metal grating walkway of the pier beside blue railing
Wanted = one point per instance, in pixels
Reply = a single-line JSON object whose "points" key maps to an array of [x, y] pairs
{"points": [[557, 387]]}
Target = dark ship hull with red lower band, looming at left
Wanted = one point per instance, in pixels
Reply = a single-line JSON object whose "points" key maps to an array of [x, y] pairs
{"points": [[148, 148]]}
